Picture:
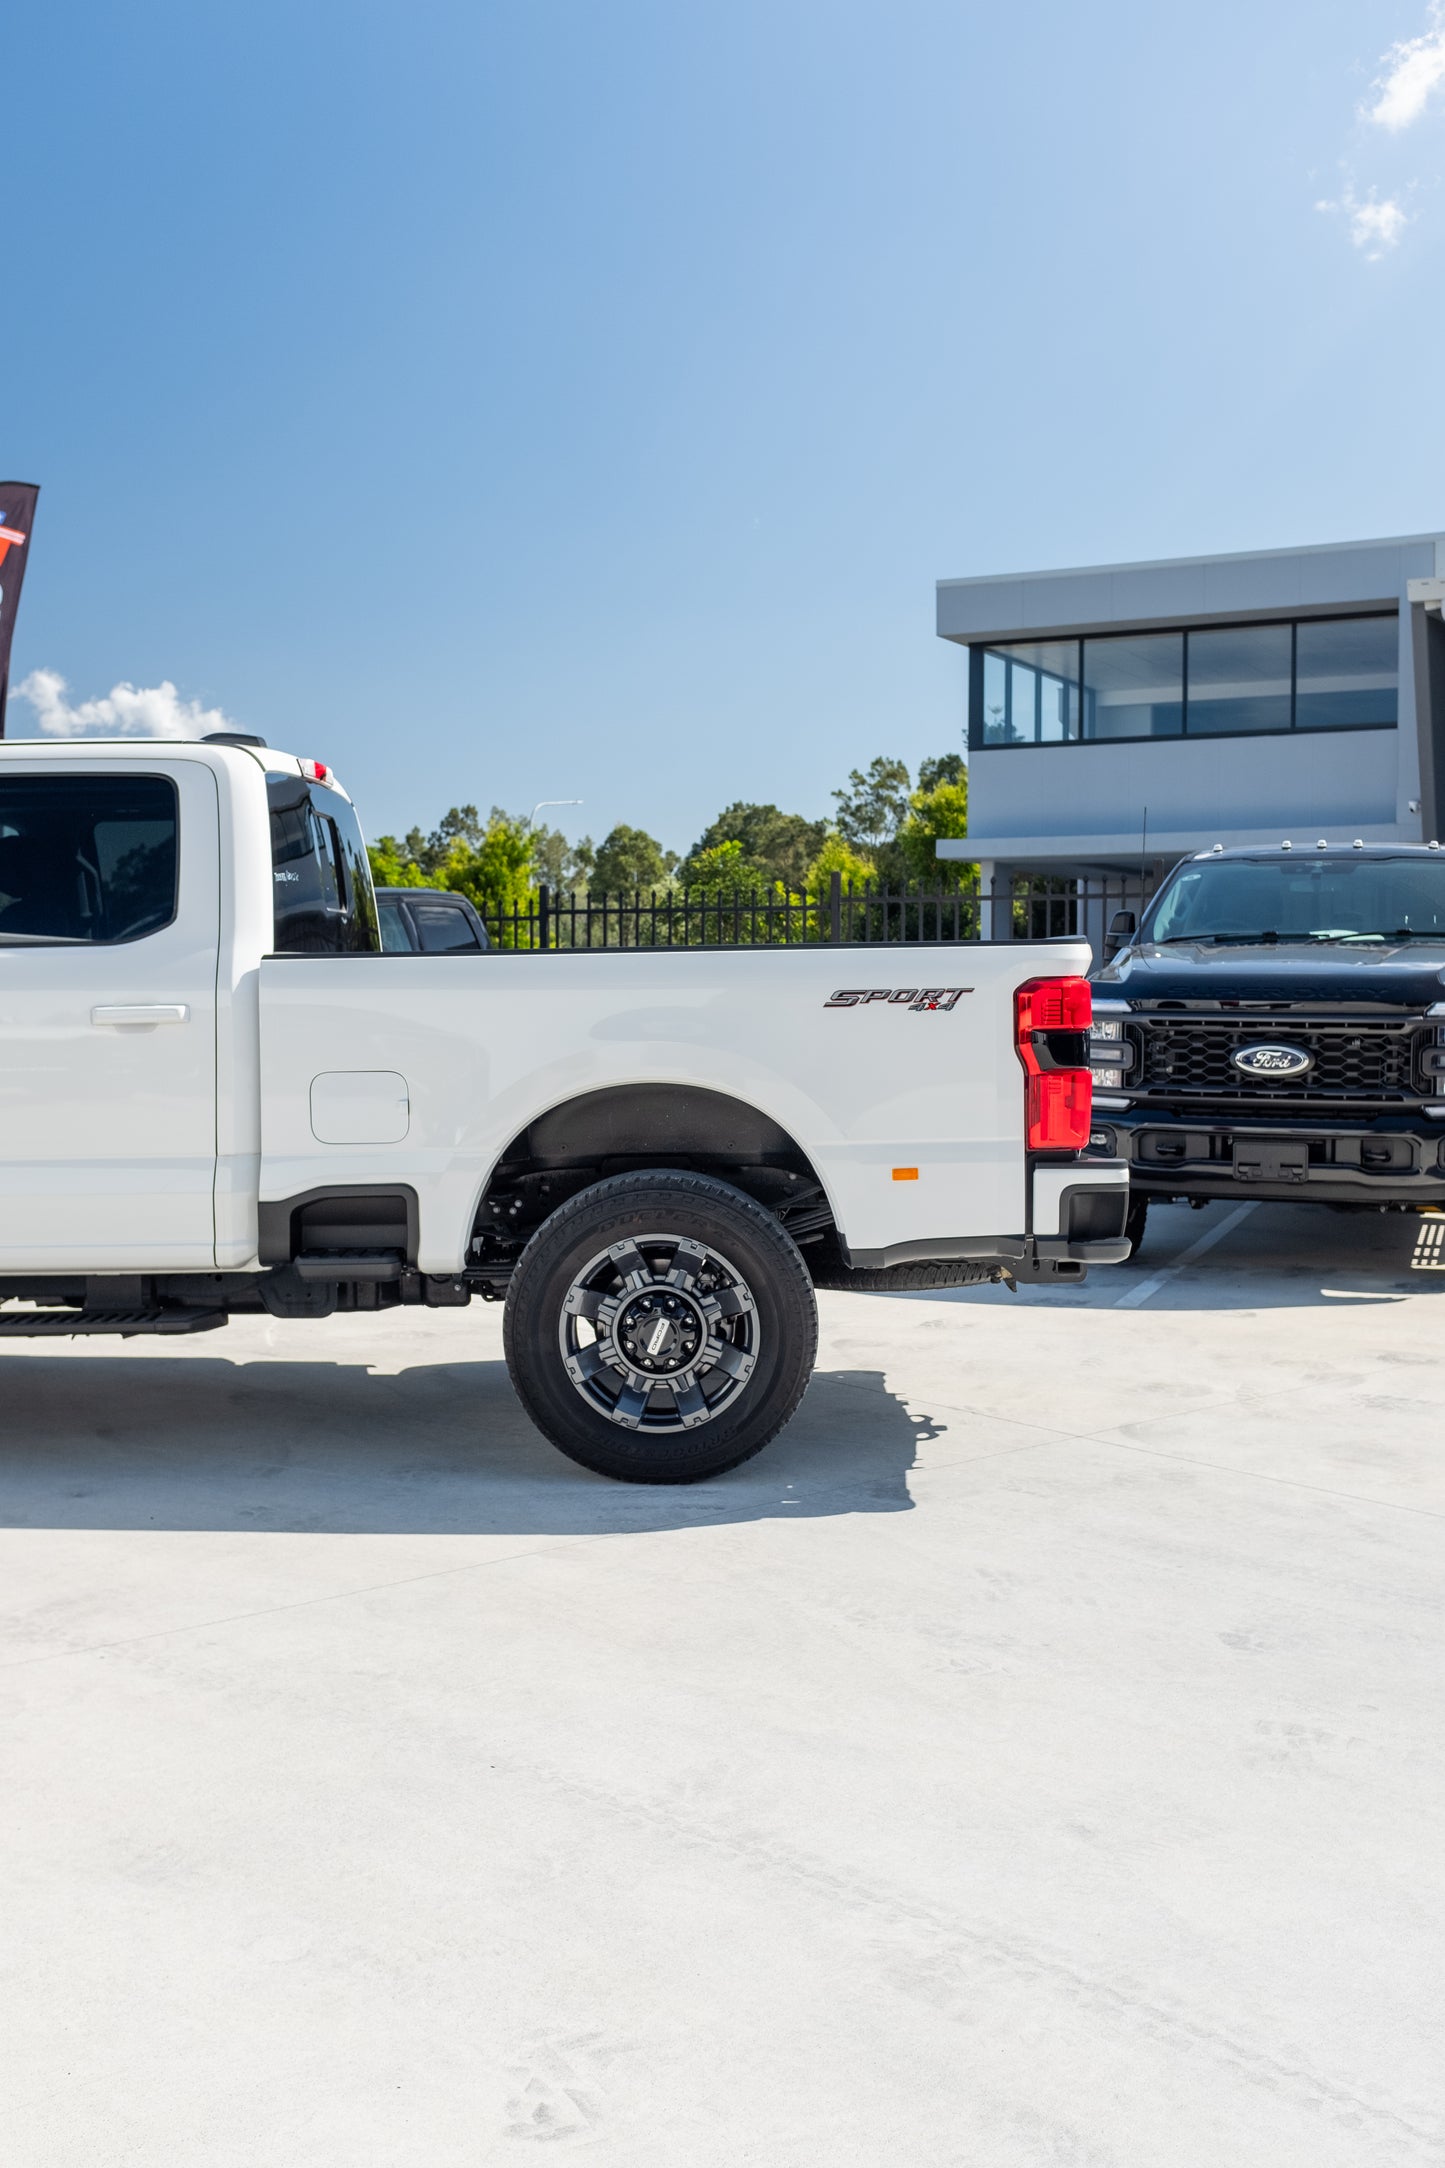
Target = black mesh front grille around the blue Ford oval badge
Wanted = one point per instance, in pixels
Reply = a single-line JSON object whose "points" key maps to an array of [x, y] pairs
{"points": [[1190, 1059]]}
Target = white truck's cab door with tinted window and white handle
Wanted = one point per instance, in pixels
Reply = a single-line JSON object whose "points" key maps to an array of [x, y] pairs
{"points": [[109, 935]]}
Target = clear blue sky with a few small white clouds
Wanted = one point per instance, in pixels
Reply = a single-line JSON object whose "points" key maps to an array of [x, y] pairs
{"points": [[547, 400]]}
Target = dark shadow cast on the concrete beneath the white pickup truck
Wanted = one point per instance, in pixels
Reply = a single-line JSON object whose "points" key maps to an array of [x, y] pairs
{"points": [[445, 1449]]}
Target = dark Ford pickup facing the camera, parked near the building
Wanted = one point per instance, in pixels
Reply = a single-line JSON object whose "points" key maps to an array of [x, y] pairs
{"points": [[1277, 1029]]}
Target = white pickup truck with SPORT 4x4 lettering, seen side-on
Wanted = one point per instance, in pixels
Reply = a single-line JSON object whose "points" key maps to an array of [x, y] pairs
{"points": [[222, 1096]]}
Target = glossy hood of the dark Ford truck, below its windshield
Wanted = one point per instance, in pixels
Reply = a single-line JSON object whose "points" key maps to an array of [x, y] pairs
{"points": [[1405, 975]]}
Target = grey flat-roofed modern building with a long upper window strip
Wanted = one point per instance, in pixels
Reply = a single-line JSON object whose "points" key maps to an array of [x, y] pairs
{"points": [[1138, 712]]}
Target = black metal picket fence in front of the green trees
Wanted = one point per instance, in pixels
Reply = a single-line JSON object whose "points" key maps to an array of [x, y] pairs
{"points": [[1017, 907]]}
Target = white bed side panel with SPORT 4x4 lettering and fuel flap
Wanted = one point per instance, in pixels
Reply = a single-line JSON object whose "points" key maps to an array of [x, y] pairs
{"points": [[486, 1044]]}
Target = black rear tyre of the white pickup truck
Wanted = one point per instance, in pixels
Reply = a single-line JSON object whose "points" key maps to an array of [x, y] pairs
{"points": [[673, 1206]]}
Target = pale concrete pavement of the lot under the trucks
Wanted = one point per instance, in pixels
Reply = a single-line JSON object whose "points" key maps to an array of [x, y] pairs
{"points": [[1032, 1761]]}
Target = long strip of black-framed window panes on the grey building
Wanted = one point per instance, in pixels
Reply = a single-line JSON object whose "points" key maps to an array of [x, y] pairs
{"points": [[1208, 682]]}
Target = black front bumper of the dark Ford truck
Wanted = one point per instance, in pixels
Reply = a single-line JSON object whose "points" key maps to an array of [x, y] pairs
{"points": [[1331, 1161]]}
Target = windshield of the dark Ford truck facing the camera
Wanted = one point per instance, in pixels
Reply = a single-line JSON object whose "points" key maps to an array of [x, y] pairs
{"points": [[1303, 901]]}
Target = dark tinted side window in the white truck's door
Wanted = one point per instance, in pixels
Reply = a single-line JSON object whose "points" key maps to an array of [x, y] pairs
{"points": [[88, 857]]}
